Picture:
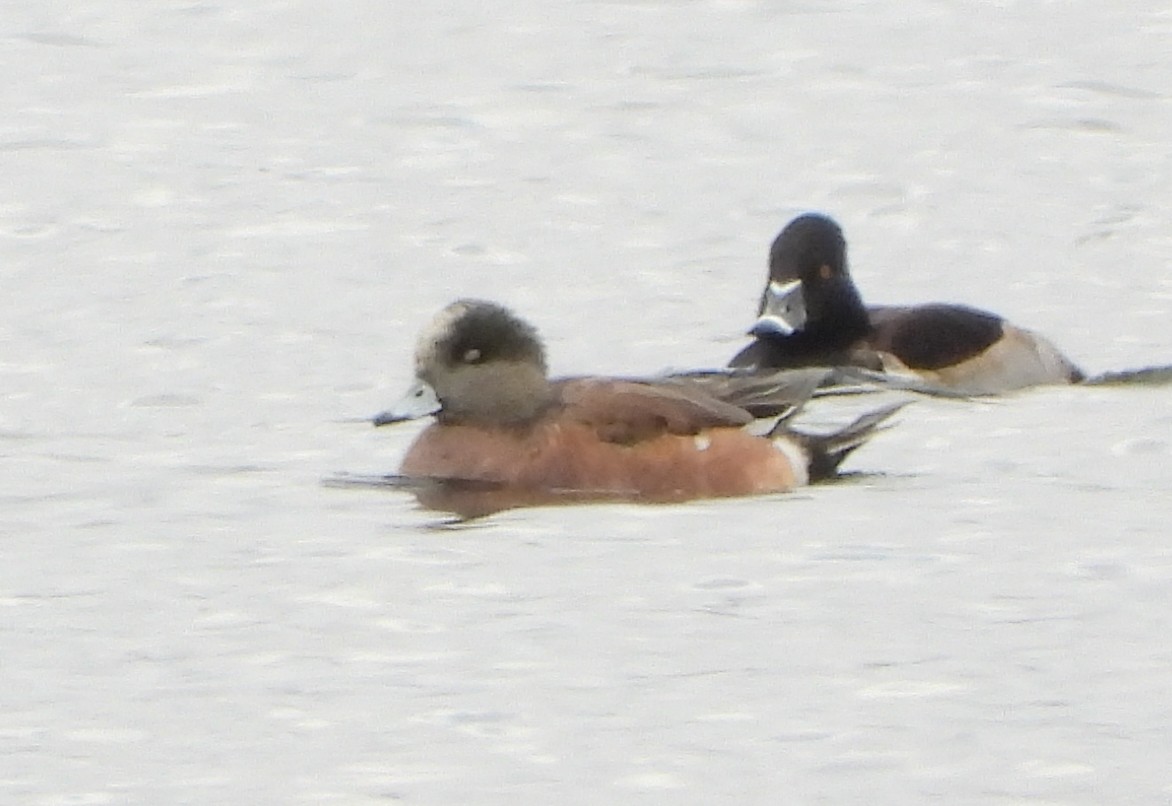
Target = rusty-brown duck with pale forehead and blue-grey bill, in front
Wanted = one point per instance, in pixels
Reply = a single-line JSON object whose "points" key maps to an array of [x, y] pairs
{"points": [[506, 435]]}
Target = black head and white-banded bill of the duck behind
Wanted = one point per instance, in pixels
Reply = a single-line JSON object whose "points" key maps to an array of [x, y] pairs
{"points": [[809, 282]]}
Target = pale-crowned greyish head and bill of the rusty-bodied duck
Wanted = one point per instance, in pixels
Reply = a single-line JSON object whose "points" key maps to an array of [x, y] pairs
{"points": [[476, 364]]}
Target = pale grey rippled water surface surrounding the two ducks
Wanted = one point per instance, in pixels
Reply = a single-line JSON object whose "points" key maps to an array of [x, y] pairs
{"points": [[223, 227]]}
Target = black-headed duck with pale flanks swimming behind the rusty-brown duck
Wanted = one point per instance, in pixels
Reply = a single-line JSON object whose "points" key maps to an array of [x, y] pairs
{"points": [[813, 315]]}
